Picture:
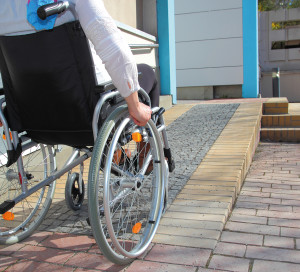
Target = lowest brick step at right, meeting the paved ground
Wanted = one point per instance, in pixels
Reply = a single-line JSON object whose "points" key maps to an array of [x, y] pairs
{"points": [[280, 134]]}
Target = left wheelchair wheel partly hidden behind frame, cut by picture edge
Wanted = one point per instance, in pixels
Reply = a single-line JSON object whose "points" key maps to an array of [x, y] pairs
{"points": [[20, 221]]}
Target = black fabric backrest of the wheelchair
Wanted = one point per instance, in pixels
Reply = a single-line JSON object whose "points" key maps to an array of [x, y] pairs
{"points": [[50, 85]]}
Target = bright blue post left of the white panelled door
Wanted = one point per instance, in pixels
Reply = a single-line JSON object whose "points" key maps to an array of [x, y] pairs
{"points": [[166, 40]]}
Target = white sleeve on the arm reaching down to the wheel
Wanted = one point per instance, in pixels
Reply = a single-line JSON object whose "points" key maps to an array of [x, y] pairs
{"points": [[109, 44]]}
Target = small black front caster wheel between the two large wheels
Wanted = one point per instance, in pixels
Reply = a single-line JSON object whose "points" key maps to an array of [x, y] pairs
{"points": [[73, 195]]}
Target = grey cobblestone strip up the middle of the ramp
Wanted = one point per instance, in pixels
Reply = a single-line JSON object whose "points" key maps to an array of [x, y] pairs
{"points": [[190, 137]]}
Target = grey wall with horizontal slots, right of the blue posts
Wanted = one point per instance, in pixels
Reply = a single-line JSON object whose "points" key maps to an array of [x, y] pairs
{"points": [[288, 60]]}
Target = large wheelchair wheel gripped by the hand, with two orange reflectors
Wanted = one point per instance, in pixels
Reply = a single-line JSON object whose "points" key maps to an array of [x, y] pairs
{"points": [[126, 187]]}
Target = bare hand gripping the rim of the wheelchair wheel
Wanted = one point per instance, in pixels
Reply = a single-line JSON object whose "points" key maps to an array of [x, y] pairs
{"points": [[139, 112]]}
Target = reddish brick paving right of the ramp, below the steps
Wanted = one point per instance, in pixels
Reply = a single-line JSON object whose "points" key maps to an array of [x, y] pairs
{"points": [[263, 231]]}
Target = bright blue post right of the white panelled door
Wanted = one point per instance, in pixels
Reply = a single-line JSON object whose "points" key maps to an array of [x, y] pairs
{"points": [[250, 49]]}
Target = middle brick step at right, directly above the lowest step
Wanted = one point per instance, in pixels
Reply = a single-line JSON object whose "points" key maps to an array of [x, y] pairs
{"points": [[280, 120]]}
